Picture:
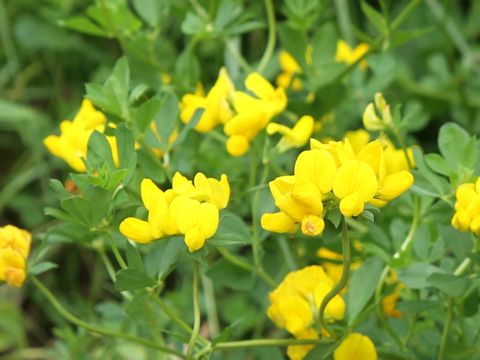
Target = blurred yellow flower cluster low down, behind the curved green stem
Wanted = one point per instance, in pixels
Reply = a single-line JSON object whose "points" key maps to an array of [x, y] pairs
{"points": [[294, 305]]}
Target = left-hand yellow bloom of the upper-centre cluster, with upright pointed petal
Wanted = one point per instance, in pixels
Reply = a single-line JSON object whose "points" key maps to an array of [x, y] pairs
{"points": [[215, 104]]}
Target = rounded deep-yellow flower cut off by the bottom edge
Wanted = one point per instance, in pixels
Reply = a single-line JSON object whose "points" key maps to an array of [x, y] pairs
{"points": [[356, 346]]}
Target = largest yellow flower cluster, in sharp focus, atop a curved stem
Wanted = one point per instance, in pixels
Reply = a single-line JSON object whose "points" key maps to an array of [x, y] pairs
{"points": [[333, 172]]}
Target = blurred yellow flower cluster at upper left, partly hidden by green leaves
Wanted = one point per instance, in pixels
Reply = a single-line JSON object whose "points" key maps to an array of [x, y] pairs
{"points": [[71, 144]]}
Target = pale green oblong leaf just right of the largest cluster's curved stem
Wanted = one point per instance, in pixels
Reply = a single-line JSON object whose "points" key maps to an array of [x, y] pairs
{"points": [[362, 287]]}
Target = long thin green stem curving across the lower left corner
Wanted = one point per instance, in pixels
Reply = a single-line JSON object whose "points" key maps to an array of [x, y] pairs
{"points": [[94, 328]]}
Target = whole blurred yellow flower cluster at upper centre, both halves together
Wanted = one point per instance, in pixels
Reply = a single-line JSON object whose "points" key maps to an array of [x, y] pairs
{"points": [[250, 113]]}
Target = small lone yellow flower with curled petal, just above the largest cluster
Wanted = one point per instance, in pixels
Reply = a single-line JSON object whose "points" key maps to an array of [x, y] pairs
{"points": [[294, 137]]}
